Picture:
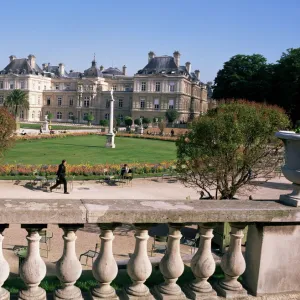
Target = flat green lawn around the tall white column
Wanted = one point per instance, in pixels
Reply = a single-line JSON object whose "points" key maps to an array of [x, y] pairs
{"points": [[90, 149]]}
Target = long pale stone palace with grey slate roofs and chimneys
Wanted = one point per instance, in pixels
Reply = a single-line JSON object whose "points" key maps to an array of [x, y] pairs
{"points": [[162, 84]]}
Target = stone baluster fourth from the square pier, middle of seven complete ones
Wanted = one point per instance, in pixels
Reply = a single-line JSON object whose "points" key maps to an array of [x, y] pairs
{"points": [[139, 267]]}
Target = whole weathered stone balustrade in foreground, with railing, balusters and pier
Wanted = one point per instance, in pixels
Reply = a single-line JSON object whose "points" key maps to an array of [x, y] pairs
{"points": [[269, 266]]}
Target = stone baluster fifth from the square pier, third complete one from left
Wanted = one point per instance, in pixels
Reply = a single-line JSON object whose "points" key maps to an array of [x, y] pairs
{"points": [[105, 268]]}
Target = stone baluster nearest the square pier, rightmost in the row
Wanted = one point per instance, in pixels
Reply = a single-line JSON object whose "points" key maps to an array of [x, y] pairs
{"points": [[233, 264]]}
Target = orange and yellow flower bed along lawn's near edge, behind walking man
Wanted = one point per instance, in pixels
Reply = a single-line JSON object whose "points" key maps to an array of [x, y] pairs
{"points": [[84, 169]]}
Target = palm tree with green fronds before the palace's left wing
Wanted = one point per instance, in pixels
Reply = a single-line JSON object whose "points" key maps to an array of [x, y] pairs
{"points": [[16, 101]]}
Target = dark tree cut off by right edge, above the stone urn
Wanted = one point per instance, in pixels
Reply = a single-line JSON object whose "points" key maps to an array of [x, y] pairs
{"points": [[286, 83]]}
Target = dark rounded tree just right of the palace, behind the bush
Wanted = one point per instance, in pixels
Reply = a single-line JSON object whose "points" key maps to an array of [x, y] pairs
{"points": [[244, 77]]}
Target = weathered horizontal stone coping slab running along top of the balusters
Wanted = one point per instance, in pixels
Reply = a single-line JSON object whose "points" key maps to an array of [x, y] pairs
{"points": [[18, 211]]}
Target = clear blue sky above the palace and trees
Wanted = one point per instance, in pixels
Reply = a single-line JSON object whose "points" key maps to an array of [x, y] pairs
{"points": [[207, 33]]}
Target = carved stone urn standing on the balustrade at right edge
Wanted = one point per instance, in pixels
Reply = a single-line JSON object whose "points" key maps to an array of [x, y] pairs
{"points": [[291, 168]]}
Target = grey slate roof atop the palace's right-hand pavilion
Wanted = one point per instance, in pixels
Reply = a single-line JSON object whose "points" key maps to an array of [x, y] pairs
{"points": [[163, 65]]}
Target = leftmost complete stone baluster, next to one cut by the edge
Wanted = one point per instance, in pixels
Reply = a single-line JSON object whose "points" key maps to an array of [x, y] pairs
{"points": [[33, 269]]}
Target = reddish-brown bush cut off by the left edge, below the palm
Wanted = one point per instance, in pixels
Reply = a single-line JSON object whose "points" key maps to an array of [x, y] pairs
{"points": [[7, 128]]}
